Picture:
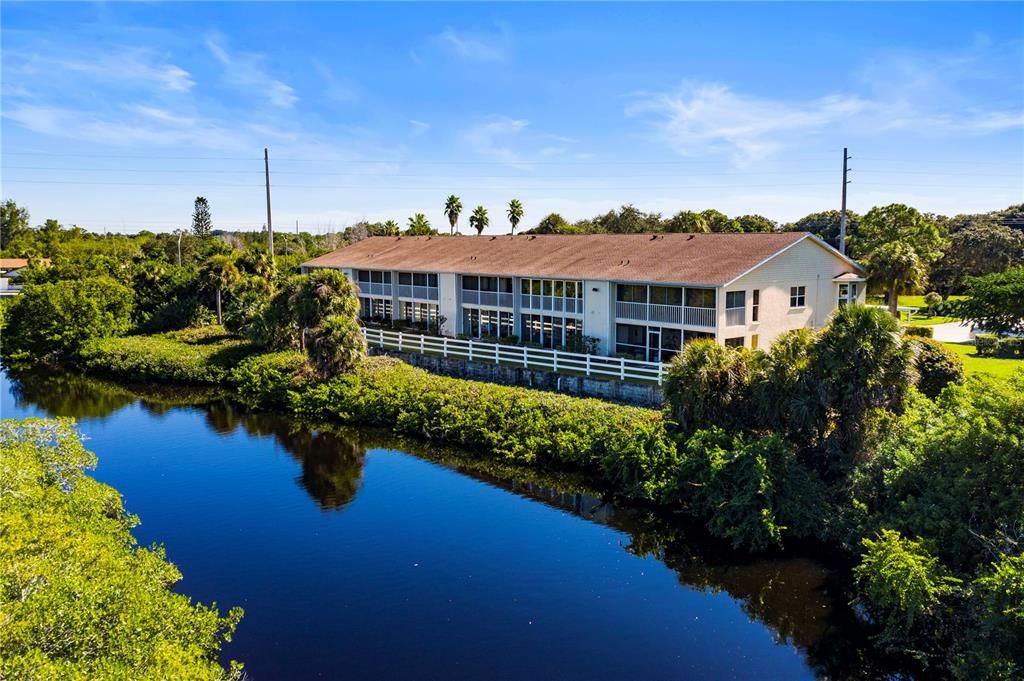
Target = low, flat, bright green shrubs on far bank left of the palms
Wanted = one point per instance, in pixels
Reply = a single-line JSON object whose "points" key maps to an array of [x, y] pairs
{"points": [[193, 356]]}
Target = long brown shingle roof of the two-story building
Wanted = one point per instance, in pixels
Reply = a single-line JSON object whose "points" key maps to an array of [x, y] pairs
{"points": [[677, 259]]}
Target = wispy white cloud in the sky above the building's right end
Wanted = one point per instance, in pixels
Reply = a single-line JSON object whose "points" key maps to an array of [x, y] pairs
{"points": [[908, 93]]}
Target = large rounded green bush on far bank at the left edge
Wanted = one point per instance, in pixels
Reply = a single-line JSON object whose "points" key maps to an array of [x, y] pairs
{"points": [[54, 322]]}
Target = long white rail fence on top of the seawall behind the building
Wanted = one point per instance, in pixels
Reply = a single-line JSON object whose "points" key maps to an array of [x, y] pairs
{"points": [[519, 356]]}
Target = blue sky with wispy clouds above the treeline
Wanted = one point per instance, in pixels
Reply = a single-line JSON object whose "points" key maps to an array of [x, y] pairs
{"points": [[116, 116]]}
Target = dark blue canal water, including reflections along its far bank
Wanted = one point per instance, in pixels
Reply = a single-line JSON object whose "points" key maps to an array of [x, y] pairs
{"points": [[608, 619]]}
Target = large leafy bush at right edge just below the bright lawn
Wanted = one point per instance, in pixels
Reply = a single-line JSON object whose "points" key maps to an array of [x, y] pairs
{"points": [[950, 471]]}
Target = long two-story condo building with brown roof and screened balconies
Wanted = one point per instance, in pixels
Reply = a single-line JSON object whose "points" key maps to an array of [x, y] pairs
{"points": [[643, 295]]}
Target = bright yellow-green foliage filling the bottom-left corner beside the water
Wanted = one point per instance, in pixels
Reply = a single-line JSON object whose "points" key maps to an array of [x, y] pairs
{"points": [[80, 599]]}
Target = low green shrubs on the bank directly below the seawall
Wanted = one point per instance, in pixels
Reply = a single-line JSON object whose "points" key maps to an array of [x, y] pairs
{"points": [[513, 423]]}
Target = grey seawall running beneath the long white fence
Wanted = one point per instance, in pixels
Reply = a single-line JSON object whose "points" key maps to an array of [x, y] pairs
{"points": [[641, 395]]}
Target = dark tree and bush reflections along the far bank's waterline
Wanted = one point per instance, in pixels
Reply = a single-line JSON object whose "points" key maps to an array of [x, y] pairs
{"points": [[801, 602]]}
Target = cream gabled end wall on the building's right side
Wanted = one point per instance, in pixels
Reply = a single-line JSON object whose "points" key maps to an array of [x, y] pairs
{"points": [[806, 265]]}
